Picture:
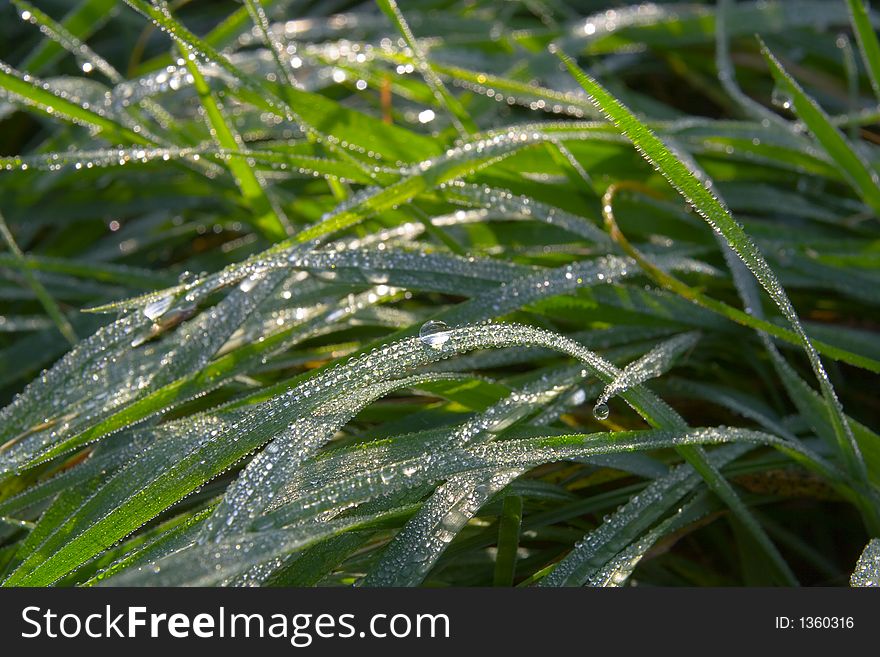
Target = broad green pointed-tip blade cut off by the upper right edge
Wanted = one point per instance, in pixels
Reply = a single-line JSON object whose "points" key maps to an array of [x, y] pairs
{"points": [[859, 172]]}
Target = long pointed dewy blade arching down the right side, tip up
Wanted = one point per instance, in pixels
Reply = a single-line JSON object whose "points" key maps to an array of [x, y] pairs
{"points": [[719, 218]]}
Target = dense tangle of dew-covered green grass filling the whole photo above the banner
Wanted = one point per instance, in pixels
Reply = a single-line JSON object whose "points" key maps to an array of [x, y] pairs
{"points": [[441, 293]]}
